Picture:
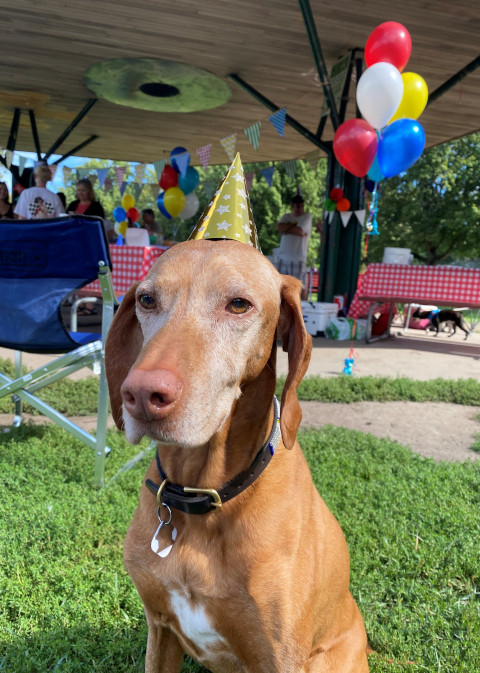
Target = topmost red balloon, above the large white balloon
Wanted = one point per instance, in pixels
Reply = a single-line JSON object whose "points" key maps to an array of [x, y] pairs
{"points": [[390, 42]]}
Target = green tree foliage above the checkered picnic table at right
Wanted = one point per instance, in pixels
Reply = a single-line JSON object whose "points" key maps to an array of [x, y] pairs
{"points": [[434, 207]]}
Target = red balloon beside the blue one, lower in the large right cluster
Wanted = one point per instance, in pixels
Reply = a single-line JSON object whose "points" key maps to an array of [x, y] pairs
{"points": [[355, 145]]}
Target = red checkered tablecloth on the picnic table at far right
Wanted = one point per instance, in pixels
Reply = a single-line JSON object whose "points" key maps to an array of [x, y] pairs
{"points": [[440, 285]]}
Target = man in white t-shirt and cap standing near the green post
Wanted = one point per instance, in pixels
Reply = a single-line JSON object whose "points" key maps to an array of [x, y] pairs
{"points": [[295, 228]]}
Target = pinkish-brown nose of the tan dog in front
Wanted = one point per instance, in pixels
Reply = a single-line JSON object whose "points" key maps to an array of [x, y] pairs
{"points": [[150, 395]]}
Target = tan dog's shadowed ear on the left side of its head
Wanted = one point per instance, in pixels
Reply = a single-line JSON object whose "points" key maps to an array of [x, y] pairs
{"points": [[124, 343]]}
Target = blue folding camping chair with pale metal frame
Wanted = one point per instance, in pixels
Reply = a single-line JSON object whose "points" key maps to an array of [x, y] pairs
{"points": [[41, 263]]}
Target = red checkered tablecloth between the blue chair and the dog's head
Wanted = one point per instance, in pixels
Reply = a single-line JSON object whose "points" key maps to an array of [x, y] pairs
{"points": [[130, 263]]}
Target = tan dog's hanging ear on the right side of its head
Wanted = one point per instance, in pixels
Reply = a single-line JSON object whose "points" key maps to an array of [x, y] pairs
{"points": [[298, 344]]}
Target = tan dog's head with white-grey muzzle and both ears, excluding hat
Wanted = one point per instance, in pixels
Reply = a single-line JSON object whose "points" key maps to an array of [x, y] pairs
{"points": [[188, 340]]}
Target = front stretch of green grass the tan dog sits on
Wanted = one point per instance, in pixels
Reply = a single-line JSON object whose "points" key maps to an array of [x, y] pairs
{"points": [[68, 605]]}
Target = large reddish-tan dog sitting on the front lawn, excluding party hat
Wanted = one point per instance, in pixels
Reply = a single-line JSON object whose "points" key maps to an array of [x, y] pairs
{"points": [[237, 559]]}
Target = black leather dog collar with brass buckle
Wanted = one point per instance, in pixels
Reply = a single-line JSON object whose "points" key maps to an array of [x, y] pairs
{"points": [[203, 500]]}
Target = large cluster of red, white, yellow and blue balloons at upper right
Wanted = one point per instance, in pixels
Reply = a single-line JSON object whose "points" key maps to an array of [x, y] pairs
{"points": [[389, 139]]}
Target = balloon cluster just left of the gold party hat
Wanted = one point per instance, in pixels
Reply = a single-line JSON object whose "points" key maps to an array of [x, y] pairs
{"points": [[179, 181]]}
